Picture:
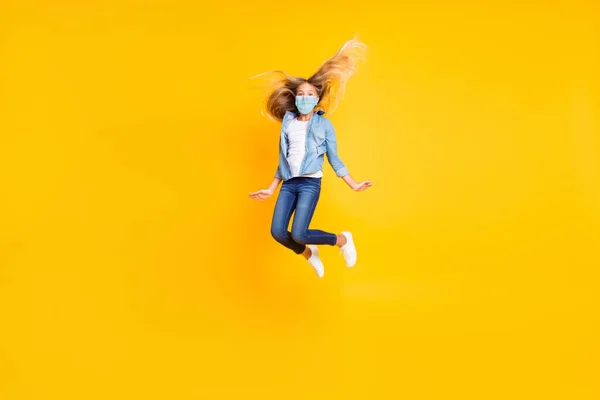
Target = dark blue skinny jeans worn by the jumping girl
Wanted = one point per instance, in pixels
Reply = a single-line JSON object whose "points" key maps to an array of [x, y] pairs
{"points": [[300, 194]]}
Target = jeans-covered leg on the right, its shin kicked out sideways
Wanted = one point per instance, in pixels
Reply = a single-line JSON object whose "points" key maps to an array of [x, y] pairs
{"points": [[309, 191]]}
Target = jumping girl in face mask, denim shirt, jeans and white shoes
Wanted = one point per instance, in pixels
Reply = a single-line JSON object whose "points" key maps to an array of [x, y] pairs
{"points": [[305, 137]]}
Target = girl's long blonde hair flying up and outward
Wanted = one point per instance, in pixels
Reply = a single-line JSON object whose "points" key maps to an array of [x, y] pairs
{"points": [[329, 80]]}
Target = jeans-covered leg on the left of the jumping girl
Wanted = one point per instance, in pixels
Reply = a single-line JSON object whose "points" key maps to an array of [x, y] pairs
{"points": [[286, 202]]}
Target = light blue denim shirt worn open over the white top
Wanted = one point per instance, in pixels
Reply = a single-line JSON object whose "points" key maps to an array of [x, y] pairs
{"points": [[320, 139]]}
